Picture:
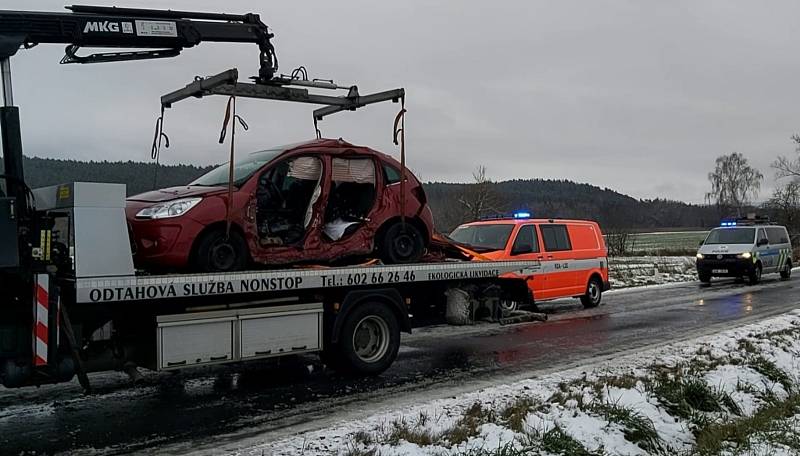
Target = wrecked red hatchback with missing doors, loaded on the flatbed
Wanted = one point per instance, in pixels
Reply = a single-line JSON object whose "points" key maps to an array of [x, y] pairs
{"points": [[319, 201]]}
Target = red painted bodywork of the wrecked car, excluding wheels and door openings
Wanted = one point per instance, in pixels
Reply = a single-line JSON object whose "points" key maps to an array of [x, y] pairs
{"points": [[168, 242]]}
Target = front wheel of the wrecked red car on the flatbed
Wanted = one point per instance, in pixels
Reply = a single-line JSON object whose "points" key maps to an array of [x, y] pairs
{"points": [[216, 252]]}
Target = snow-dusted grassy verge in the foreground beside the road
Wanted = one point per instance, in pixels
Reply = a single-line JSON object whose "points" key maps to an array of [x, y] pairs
{"points": [[734, 393]]}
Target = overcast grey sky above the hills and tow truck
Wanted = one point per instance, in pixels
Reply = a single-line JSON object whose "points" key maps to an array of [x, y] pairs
{"points": [[637, 96]]}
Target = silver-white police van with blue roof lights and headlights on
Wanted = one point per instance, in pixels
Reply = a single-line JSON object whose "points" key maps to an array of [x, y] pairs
{"points": [[745, 247]]}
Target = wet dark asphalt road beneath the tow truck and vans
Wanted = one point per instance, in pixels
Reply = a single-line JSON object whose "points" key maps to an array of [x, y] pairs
{"points": [[218, 409]]}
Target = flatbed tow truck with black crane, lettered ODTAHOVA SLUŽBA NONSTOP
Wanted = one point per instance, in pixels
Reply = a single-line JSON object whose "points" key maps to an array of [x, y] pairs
{"points": [[72, 303]]}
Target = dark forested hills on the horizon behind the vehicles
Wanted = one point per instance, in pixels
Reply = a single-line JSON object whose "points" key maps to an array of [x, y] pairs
{"points": [[451, 203]]}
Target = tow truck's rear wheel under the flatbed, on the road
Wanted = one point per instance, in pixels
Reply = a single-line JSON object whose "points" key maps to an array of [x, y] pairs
{"points": [[369, 341]]}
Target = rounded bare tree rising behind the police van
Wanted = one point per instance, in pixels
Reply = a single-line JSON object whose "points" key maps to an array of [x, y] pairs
{"points": [[734, 183]]}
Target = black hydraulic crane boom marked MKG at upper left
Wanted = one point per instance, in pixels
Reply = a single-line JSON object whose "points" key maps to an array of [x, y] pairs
{"points": [[160, 33]]}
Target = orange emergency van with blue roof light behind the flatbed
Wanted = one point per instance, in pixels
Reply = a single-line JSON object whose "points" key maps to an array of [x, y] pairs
{"points": [[572, 253]]}
